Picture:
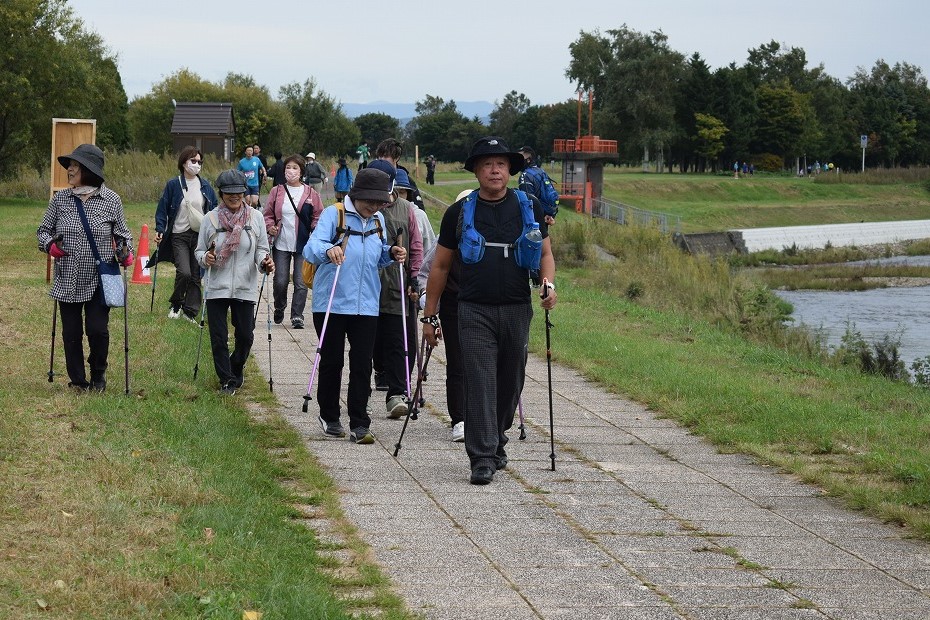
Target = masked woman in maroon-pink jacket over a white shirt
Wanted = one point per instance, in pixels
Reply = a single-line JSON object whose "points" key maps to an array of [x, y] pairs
{"points": [[291, 213]]}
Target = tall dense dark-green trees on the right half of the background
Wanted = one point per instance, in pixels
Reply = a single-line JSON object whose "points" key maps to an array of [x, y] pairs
{"points": [[772, 110]]}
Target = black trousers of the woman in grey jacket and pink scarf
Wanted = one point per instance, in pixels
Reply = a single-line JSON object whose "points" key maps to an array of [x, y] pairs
{"points": [[227, 366]]}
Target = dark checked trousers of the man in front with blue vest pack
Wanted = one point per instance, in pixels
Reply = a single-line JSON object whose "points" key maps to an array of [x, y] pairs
{"points": [[494, 348]]}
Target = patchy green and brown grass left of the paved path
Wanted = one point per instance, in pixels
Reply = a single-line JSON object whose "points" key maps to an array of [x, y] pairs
{"points": [[171, 502]]}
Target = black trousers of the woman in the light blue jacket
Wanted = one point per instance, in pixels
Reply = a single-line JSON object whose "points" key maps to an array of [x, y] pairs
{"points": [[360, 332]]}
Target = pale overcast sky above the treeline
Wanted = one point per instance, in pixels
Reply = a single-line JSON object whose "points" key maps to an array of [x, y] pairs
{"points": [[362, 52]]}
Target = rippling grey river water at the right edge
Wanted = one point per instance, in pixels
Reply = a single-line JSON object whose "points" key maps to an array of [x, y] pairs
{"points": [[900, 312]]}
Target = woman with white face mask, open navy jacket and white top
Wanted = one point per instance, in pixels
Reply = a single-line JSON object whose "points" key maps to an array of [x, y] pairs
{"points": [[177, 221]]}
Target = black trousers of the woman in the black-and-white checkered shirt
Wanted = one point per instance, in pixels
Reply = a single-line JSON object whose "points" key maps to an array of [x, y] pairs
{"points": [[94, 317]]}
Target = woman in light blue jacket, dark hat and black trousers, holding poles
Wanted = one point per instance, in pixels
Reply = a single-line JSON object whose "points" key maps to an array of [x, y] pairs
{"points": [[355, 299]]}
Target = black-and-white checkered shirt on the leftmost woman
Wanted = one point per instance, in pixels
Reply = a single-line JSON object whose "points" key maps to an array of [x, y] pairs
{"points": [[76, 274]]}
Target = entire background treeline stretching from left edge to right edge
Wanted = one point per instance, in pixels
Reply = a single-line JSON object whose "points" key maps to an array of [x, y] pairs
{"points": [[659, 105]]}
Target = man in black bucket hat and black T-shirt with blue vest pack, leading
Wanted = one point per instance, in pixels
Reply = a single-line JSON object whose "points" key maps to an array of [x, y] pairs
{"points": [[494, 297]]}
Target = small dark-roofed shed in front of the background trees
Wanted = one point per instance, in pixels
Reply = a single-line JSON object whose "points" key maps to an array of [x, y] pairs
{"points": [[208, 126]]}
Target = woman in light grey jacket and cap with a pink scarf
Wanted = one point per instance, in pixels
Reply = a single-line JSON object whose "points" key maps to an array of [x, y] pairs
{"points": [[233, 247]]}
